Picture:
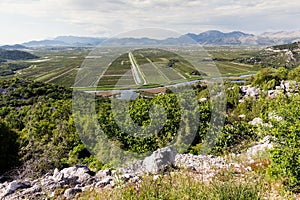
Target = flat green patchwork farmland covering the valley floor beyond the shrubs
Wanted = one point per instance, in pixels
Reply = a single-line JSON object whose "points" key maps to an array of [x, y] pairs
{"points": [[61, 66]]}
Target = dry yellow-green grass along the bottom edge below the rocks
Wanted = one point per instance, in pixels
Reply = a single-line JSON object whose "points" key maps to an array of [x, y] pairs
{"points": [[181, 186]]}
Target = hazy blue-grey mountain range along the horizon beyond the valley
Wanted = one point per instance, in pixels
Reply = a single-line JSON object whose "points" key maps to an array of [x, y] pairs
{"points": [[212, 37]]}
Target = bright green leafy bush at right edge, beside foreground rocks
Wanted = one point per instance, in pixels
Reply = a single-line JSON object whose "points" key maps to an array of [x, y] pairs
{"points": [[286, 155]]}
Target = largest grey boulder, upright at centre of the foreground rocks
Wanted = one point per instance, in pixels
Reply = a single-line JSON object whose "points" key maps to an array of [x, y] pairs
{"points": [[159, 159]]}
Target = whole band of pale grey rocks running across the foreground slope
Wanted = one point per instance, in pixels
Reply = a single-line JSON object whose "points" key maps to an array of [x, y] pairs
{"points": [[70, 182]]}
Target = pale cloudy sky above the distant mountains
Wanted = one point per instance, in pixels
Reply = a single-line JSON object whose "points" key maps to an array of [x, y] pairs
{"points": [[24, 20]]}
